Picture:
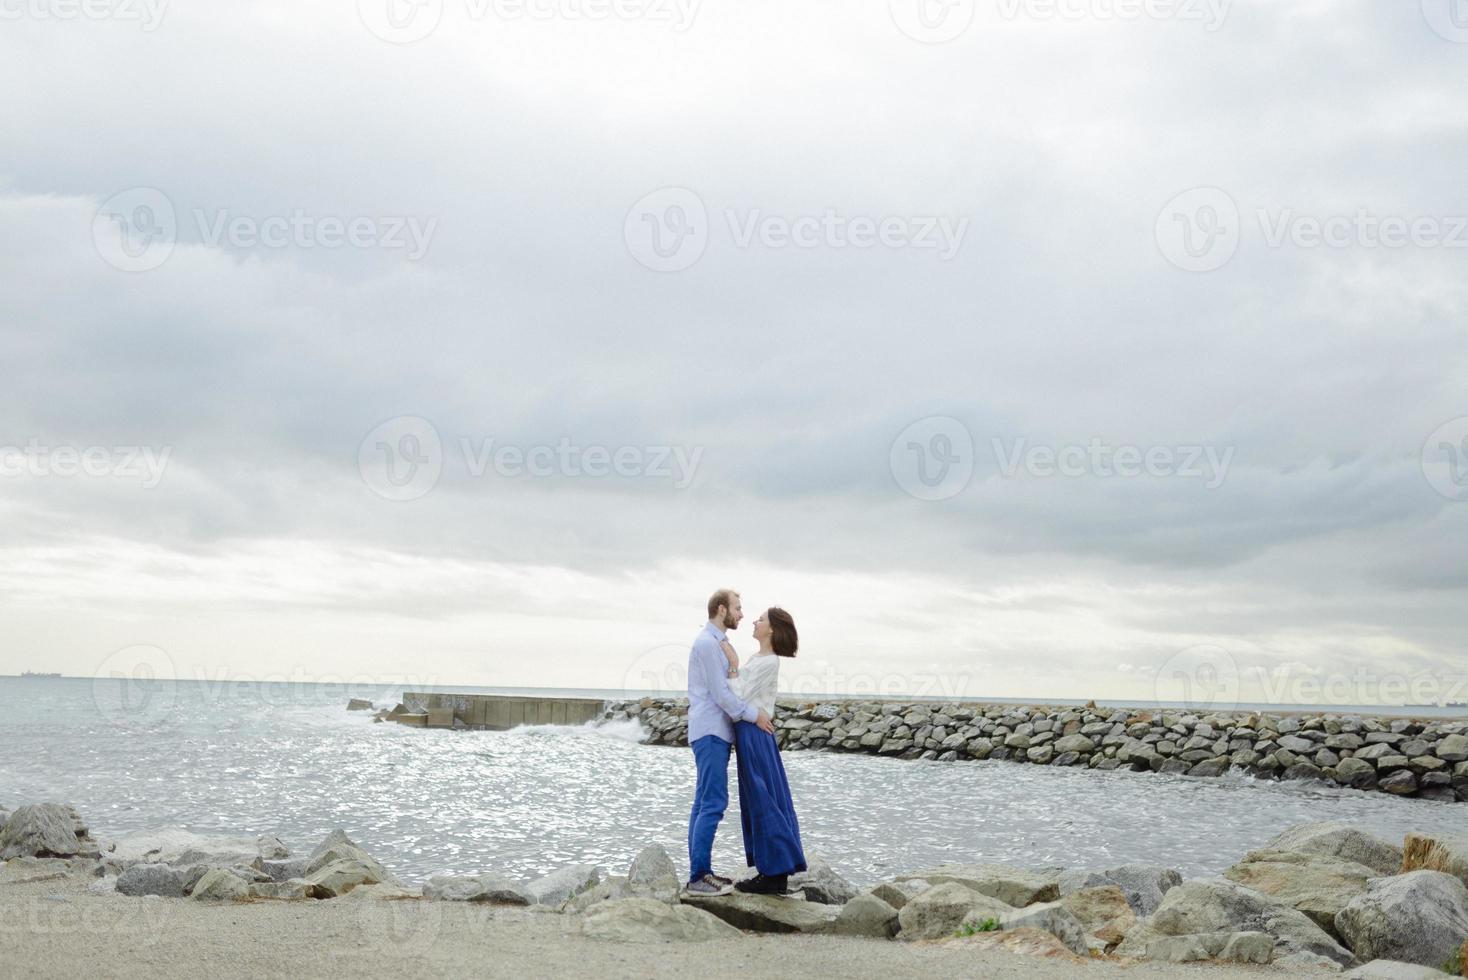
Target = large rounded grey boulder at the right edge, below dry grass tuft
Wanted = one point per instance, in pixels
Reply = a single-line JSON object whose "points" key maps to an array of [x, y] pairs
{"points": [[1416, 918]]}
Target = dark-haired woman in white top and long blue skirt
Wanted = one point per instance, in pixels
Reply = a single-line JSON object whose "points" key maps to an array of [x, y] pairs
{"points": [[768, 816]]}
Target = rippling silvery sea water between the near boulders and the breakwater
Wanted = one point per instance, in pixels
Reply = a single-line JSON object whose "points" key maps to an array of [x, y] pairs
{"points": [[290, 761]]}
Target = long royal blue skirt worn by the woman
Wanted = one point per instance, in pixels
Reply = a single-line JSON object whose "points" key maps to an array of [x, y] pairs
{"points": [[768, 816]]}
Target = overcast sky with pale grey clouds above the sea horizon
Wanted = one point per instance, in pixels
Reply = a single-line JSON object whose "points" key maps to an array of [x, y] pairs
{"points": [[1084, 348]]}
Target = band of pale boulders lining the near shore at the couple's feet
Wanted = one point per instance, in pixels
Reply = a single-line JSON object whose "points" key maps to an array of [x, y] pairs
{"points": [[1318, 899]]}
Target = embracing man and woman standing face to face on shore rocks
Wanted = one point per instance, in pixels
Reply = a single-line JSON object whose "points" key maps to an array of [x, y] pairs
{"points": [[732, 706]]}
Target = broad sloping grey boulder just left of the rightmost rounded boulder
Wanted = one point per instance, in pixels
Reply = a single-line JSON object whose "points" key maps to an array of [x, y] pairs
{"points": [[1219, 906]]}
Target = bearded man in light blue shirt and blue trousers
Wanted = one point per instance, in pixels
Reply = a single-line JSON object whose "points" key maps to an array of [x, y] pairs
{"points": [[713, 712]]}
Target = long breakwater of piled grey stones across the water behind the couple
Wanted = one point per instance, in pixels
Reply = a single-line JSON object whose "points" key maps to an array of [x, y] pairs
{"points": [[1410, 758]]}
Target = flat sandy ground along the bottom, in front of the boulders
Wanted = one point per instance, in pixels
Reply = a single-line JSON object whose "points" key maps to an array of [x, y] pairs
{"points": [[57, 929]]}
